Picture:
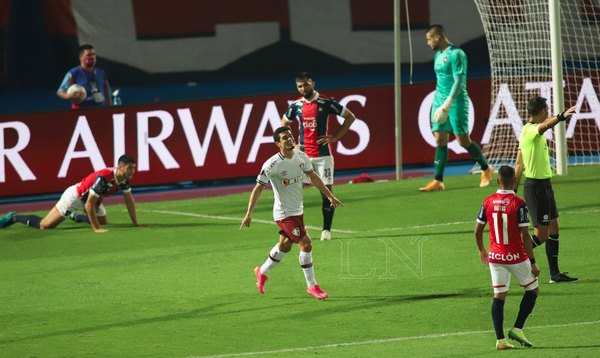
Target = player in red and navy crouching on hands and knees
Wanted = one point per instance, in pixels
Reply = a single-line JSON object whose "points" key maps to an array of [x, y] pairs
{"points": [[86, 196]]}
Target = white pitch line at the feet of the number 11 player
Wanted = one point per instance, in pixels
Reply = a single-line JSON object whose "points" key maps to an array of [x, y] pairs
{"points": [[388, 340]]}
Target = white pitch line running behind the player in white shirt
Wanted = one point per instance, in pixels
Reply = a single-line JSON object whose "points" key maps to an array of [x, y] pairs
{"points": [[341, 231]]}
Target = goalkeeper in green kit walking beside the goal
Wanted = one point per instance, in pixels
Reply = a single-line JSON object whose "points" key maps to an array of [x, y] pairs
{"points": [[450, 111]]}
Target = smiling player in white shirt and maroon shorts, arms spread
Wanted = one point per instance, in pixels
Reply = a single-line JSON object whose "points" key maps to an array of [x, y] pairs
{"points": [[284, 170]]}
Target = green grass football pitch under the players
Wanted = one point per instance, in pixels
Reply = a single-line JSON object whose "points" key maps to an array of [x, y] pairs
{"points": [[402, 271]]}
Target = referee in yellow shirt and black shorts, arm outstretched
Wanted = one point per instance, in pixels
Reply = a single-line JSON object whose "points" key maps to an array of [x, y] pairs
{"points": [[533, 158]]}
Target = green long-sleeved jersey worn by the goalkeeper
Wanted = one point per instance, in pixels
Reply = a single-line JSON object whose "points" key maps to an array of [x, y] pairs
{"points": [[450, 66]]}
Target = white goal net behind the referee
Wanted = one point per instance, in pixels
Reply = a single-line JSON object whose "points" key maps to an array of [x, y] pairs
{"points": [[518, 38]]}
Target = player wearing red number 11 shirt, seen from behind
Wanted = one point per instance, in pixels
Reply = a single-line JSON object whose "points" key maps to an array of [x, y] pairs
{"points": [[510, 252]]}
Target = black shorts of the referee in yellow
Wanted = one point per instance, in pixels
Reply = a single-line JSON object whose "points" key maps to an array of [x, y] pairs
{"points": [[540, 201]]}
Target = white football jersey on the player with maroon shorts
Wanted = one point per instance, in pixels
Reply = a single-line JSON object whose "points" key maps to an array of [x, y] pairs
{"points": [[285, 176]]}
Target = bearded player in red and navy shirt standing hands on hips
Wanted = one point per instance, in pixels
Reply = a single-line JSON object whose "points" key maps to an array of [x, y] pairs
{"points": [[312, 111]]}
